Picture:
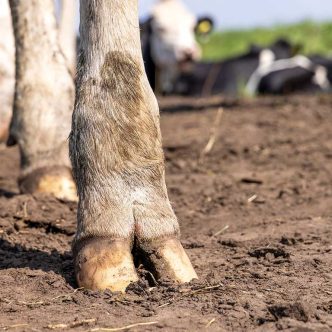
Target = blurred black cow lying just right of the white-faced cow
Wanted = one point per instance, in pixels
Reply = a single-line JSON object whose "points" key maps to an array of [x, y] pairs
{"points": [[229, 76]]}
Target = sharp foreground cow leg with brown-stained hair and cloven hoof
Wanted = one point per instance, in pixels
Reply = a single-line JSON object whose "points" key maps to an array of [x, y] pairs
{"points": [[117, 158]]}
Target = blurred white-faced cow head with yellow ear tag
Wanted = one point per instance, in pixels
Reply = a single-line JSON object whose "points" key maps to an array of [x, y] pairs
{"points": [[168, 39]]}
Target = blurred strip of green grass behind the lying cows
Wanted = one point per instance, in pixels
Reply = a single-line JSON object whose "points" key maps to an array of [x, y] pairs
{"points": [[315, 38]]}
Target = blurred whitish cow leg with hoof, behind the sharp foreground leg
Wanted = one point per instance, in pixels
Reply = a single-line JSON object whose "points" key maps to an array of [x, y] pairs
{"points": [[44, 98]]}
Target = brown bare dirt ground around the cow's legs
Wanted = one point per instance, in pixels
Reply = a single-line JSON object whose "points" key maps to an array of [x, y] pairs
{"points": [[256, 218]]}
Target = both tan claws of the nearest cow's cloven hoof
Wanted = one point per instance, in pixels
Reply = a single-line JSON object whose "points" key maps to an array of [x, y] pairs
{"points": [[106, 263]]}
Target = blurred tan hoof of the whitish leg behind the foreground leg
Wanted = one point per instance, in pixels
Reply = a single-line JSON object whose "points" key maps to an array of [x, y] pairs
{"points": [[57, 181]]}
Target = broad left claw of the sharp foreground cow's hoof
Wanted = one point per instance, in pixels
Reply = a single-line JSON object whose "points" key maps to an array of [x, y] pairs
{"points": [[104, 263]]}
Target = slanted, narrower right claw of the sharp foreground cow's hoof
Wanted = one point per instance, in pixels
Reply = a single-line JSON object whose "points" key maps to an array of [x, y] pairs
{"points": [[168, 259]]}
